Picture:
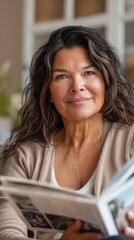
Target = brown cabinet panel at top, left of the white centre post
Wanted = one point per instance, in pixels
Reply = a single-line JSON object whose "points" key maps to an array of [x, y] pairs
{"points": [[48, 10]]}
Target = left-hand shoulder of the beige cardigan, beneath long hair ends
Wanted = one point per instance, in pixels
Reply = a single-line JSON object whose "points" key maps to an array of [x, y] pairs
{"points": [[28, 159]]}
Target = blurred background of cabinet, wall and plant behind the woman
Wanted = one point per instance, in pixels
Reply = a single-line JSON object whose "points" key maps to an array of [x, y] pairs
{"points": [[26, 24]]}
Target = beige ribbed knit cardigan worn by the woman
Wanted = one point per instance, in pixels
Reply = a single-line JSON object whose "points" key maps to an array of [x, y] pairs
{"points": [[35, 162]]}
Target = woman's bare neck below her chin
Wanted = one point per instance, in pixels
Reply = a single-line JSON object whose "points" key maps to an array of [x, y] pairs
{"points": [[78, 134]]}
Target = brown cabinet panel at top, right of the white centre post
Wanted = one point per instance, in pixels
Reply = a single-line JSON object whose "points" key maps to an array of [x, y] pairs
{"points": [[88, 7]]}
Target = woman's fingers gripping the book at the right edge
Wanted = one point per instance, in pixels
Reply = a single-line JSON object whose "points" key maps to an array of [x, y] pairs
{"points": [[129, 231]]}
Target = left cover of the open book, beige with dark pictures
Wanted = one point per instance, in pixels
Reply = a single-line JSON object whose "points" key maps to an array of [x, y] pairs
{"points": [[46, 208]]}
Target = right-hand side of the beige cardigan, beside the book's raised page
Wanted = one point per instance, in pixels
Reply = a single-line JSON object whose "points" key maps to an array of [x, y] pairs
{"points": [[117, 149]]}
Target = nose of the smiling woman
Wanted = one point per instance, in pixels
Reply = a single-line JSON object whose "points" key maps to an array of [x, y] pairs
{"points": [[77, 85]]}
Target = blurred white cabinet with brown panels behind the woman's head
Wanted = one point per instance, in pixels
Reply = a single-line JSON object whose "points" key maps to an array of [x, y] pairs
{"points": [[114, 18]]}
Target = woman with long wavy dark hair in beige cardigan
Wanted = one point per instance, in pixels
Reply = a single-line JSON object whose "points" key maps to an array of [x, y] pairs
{"points": [[76, 123]]}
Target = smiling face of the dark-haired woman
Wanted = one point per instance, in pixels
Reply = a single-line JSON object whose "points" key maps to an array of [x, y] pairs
{"points": [[77, 88]]}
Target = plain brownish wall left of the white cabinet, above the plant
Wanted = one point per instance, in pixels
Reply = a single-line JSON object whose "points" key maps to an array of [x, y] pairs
{"points": [[11, 38]]}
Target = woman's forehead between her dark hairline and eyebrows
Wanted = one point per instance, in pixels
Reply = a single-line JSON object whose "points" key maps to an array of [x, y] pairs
{"points": [[65, 56]]}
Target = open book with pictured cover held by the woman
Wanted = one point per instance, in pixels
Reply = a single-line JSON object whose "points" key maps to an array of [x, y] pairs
{"points": [[44, 207]]}
